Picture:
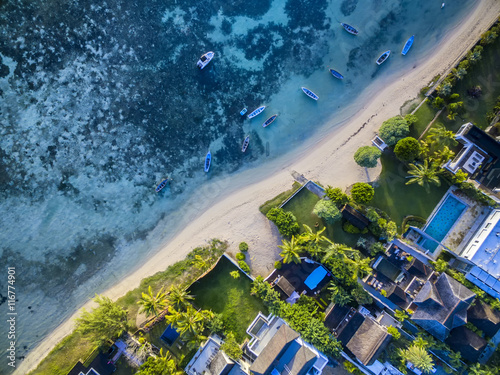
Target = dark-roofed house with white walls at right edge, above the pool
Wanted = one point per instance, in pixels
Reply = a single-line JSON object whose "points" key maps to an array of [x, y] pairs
{"points": [[479, 156]]}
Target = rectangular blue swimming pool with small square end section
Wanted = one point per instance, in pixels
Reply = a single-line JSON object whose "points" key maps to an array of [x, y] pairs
{"points": [[442, 221]]}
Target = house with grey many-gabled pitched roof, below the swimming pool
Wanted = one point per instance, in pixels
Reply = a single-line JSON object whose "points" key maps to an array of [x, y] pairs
{"points": [[441, 305]]}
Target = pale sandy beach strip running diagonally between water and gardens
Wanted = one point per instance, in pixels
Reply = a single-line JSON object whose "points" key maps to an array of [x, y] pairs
{"points": [[236, 218]]}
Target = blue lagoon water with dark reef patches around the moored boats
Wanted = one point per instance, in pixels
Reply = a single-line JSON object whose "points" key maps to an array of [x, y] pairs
{"points": [[102, 100]]}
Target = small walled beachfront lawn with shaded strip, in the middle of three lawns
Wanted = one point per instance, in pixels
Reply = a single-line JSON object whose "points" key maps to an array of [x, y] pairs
{"points": [[302, 204]]}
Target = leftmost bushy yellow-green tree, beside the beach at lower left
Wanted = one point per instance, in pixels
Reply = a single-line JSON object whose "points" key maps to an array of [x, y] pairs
{"points": [[106, 321]]}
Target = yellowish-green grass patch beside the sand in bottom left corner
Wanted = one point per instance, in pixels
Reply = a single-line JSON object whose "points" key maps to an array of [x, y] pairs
{"points": [[65, 355]]}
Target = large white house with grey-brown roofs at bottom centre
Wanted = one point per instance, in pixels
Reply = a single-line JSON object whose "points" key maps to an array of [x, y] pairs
{"points": [[276, 349]]}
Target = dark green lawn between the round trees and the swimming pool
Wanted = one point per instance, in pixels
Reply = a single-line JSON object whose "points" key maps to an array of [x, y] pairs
{"points": [[393, 196]]}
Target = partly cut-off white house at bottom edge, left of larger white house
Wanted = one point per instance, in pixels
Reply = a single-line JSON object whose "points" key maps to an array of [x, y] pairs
{"points": [[210, 360]]}
